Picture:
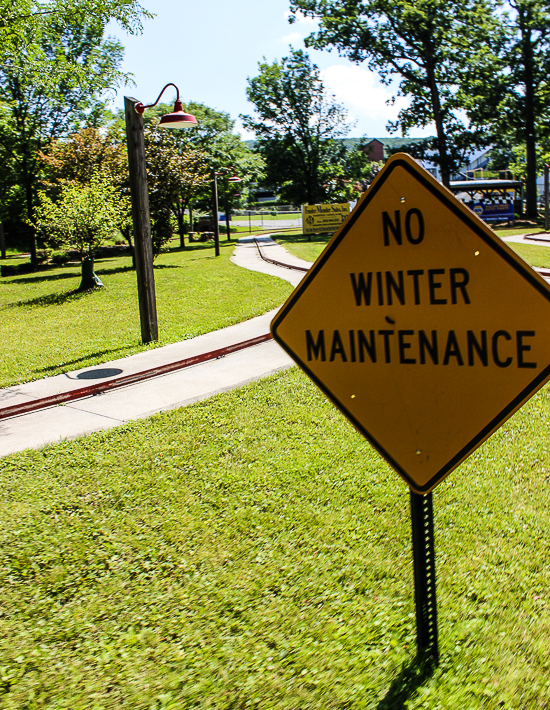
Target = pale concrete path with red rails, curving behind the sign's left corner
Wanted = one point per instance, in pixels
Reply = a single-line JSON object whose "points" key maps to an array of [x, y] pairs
{"points": [[143, 399]]}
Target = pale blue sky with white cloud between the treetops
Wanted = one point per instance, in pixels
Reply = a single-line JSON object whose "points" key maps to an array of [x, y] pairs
{"points": [[209, 48]]}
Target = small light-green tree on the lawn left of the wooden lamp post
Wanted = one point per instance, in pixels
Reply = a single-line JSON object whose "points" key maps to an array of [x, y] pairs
{"points": [[82, 218]]}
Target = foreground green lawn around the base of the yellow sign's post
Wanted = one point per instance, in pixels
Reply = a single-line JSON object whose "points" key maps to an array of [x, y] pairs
{"points": [[252, 551]]}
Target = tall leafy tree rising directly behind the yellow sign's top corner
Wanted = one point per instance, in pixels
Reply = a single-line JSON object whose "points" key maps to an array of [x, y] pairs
{"points": [[426, 43]]}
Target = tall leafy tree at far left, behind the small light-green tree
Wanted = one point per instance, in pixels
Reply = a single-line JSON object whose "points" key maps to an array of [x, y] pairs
{"points": [[40, 106]]}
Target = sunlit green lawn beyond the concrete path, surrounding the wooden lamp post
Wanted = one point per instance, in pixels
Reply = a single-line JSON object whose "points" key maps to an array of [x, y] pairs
{"points": [[47, 328]]}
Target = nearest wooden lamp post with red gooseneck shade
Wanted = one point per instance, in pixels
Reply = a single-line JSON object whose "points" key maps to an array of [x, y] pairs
{"points": [[143, 246]]}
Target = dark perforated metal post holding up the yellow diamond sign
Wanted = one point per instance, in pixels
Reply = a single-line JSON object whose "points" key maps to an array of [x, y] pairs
{"points": [[422, 523]]}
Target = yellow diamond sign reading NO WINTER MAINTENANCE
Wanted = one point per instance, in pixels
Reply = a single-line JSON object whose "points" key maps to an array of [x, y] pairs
{"points": [[420, 324]]}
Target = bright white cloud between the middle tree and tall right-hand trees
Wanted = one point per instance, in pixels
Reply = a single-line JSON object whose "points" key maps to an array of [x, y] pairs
{"points": [[362, 94]]}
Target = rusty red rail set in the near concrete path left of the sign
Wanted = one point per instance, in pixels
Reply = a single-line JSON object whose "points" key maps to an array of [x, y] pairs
{"points": [[101, 387]]}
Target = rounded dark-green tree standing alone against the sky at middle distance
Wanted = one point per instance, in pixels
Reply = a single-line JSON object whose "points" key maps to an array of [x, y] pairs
{"points": [[297, 125]]}
